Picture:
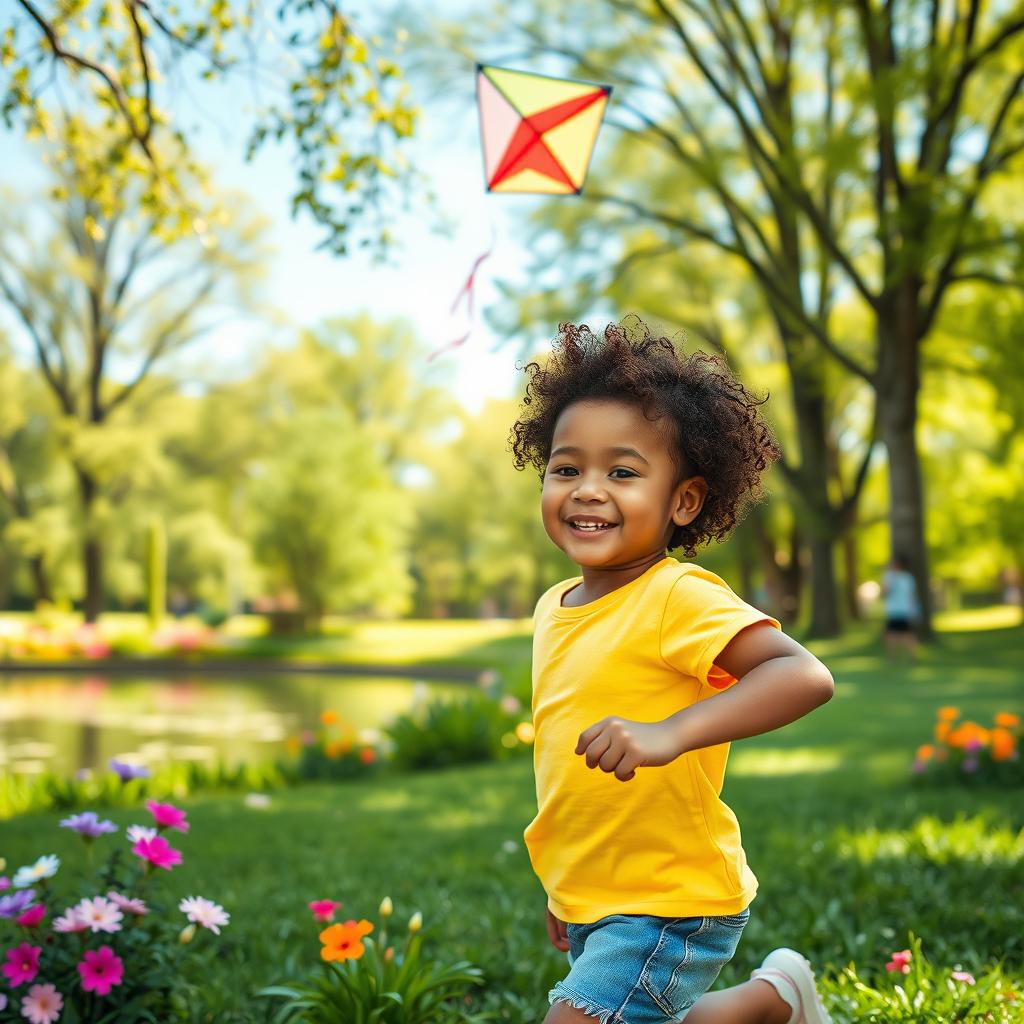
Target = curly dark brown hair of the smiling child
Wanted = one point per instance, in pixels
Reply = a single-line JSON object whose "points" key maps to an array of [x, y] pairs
{"points": [[715, 430]]}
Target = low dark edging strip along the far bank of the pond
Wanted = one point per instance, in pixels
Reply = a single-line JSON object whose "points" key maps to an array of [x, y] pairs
{"points": [[236, 667]]}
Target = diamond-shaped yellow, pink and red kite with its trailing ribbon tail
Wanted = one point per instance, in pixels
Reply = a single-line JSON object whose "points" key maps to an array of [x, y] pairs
{"points": [[538, 135]]}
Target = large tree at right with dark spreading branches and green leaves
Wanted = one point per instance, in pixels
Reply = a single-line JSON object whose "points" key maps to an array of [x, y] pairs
{"points": [[874, 134]]}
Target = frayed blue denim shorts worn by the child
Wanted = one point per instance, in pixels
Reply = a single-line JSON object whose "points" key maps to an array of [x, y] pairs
{"points": [[634, 969]]}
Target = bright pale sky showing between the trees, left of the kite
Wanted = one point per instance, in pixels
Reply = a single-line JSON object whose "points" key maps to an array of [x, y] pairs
{"points": [[428, 270]]}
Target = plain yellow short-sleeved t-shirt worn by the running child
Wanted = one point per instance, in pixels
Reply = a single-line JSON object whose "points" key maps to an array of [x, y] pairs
{"points": [[664, 843]]}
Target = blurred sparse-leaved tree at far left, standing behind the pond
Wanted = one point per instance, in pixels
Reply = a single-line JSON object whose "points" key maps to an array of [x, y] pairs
{"points": [[117, 292]]}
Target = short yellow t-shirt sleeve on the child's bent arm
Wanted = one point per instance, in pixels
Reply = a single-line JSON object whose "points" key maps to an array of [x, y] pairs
{"points": [[702, 616]]}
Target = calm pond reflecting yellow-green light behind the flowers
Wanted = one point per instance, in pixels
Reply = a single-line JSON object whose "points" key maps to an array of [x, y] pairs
{"points": [[67, 723]]}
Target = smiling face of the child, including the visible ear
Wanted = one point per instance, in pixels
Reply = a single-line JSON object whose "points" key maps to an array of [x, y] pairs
{"points": [[639, 495]]}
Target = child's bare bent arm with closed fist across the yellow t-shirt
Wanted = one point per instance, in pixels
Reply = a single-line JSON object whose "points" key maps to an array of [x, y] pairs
{"points": [[779, 682]]}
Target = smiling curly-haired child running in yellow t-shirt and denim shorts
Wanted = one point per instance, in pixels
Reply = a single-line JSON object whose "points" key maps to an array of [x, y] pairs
{"points": [[645, 669]]}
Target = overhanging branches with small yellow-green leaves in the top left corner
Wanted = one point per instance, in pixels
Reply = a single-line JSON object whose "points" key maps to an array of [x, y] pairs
{"points": [[319, 82]]}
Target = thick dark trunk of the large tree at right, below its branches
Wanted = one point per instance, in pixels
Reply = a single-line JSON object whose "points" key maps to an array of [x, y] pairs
{"points": [[899, 381]]}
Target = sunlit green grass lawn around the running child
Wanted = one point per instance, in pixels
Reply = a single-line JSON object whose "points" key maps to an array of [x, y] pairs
{"points": [[850, 856]]}
